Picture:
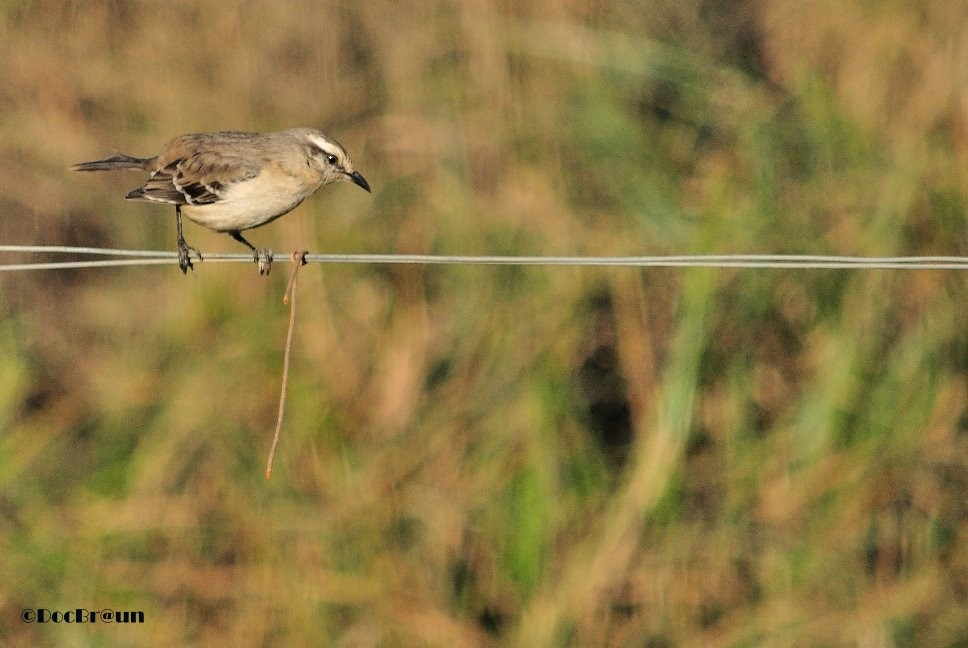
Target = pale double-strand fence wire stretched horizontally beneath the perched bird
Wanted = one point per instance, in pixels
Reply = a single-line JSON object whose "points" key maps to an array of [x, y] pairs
{"points": [[777, 261]]}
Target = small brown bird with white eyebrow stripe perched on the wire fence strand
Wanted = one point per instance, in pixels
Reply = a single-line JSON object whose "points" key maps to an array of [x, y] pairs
{"points": [[231, 181]]}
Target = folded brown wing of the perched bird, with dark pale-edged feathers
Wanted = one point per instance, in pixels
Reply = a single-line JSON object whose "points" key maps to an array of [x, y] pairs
{"points": [[201, 177]]}
